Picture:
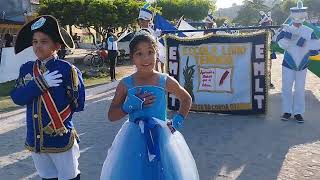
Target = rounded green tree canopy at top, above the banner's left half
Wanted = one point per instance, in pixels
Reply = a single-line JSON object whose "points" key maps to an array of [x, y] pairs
{"points": [[173, 10]]}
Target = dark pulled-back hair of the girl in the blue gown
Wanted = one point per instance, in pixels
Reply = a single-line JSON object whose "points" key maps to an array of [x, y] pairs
{"points": [[142, 36]]}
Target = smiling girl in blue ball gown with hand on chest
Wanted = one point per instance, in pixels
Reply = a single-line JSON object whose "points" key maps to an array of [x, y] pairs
{"points": [[148, 146]]}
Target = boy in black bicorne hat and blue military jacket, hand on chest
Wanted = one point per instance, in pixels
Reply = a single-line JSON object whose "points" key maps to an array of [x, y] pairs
{"points": [[52, 91]]}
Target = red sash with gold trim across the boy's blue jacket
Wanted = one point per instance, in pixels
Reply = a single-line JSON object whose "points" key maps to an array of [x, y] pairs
{"points": [[57, 118]]}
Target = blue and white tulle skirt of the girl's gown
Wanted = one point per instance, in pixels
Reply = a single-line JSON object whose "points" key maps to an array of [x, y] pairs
{"points": [[129, 156]]}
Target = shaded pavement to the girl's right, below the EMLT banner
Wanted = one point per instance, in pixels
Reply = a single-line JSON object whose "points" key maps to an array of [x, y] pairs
{"points": [[248, 147]]}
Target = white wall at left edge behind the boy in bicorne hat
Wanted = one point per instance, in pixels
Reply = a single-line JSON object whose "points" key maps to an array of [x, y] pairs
{"points": [[10, 62]]}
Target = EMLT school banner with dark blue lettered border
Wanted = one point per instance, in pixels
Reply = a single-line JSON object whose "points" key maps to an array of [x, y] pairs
{"points": [[224, 77]]}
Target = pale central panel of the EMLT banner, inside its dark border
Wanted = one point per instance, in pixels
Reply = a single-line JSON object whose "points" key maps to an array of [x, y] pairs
{"points": [[222, 72]]}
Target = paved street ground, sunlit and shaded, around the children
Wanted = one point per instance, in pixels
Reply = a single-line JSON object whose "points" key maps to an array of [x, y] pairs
{"points": [[224, 147]]}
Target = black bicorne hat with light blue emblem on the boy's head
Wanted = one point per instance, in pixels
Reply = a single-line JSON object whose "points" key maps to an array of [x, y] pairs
{"points": [[46, 24]]}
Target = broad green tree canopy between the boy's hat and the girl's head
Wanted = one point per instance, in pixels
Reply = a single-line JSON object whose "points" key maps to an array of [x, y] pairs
{"points": [[101, 15]]}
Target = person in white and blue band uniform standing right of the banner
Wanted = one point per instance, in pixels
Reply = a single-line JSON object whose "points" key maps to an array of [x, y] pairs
{"points": [[299, 42]]}
